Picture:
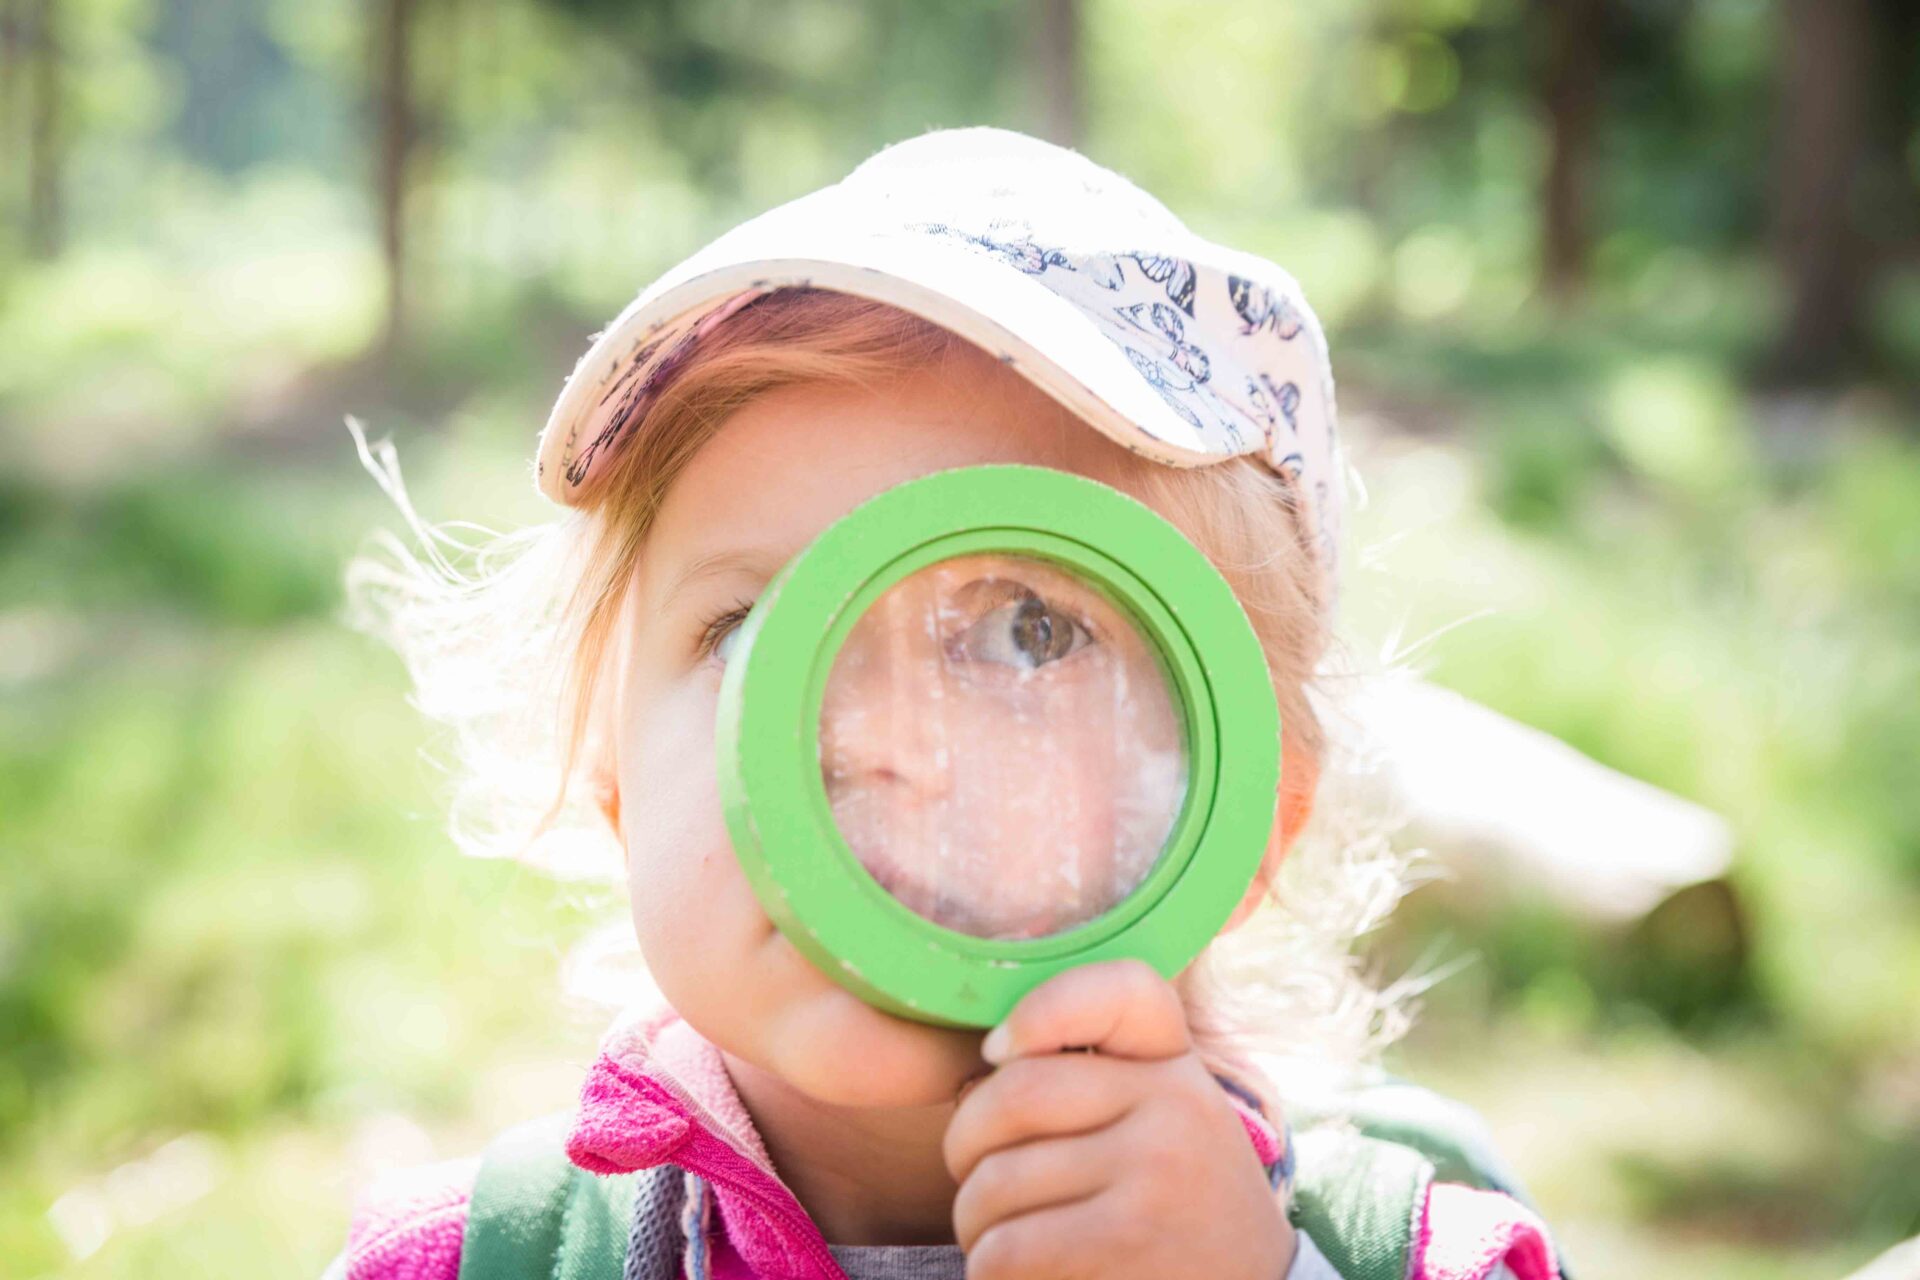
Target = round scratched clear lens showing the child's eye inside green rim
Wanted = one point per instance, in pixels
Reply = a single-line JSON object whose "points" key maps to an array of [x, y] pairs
{"points": [[1001, 747]]}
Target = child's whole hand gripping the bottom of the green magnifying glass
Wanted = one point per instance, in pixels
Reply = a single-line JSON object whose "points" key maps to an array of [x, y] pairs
{"points": [[1126, 1162]]}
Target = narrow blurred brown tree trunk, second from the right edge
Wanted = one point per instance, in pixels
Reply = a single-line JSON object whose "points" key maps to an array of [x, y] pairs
{"points": [[1570, 93]]}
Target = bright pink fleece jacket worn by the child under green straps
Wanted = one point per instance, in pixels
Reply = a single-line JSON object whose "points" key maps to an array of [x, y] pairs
{"points": [[660, 1093]]}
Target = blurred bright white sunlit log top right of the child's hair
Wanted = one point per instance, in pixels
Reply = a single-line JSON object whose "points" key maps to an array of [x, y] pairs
{"points": [[1497, 799]]}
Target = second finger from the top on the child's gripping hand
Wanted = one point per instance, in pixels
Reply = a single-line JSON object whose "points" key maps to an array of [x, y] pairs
{"points": [[1042, 1099]]}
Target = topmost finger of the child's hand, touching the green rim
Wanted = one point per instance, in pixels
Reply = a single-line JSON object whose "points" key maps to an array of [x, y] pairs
{"points": [[1118, 1007]]}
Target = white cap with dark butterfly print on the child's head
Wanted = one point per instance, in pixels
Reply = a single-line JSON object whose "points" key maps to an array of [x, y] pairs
{"points": [[1178, 348]]}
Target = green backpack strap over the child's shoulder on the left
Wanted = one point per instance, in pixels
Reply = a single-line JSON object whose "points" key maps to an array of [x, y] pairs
{"points": [[537, 1216]]}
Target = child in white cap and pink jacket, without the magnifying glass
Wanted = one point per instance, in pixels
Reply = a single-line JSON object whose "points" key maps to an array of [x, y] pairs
{"points": [[963, 298]]}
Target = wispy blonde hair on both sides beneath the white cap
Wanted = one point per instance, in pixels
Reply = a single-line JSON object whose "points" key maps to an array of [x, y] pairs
{"points": [[510, 638]]}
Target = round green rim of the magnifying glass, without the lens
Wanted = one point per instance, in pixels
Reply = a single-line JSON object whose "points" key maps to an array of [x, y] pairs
{"points": [[775, 797]]}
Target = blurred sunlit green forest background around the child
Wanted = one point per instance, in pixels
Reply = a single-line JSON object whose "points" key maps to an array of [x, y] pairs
{"points": [[1625, 308]]}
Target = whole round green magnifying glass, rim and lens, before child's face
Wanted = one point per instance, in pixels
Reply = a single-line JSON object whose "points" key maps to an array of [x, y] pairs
{"points": [[994, 724]]}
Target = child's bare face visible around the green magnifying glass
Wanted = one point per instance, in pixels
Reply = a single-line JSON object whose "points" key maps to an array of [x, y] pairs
{"points": [[775, 477]]}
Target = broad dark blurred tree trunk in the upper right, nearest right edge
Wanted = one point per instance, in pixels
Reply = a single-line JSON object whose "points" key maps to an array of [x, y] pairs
{"points": [[1821, 147]]}
